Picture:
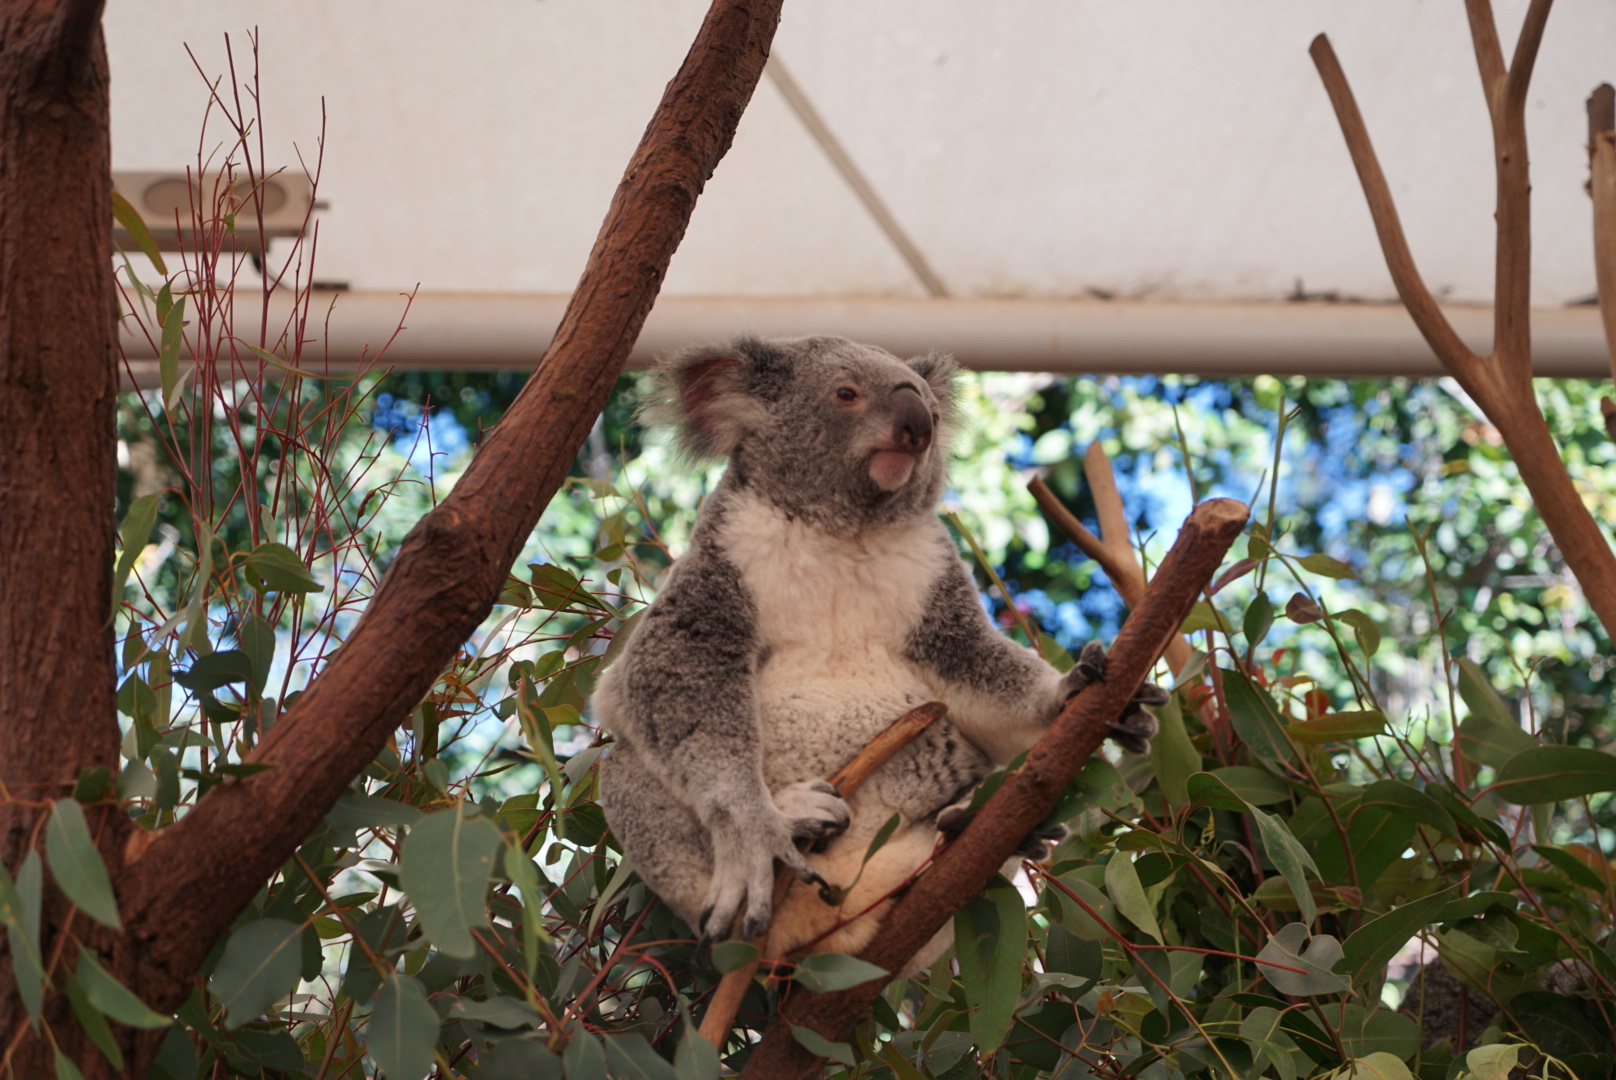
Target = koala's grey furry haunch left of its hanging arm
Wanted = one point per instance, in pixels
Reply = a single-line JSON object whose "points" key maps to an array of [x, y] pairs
{"points": [[662, 837]]}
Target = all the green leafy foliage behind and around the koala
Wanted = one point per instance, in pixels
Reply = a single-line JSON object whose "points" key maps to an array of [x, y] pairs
{"points": [[1392, 746]]}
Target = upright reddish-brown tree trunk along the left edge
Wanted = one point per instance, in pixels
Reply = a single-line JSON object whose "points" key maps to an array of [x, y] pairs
{"points": [[57, 449]]}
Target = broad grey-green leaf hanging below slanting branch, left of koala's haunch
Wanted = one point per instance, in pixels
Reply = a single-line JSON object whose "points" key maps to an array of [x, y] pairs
{"points": [[445, 871]]}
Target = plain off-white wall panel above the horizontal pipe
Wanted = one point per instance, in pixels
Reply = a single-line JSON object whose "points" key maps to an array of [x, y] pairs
{"points": [[1155, 148]]}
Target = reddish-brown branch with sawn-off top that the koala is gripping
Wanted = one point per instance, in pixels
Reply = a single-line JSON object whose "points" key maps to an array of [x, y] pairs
{"points": [[1021, 804]]}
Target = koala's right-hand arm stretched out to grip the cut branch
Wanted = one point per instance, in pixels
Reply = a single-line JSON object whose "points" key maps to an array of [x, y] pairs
{"points": [[1001, 694]]}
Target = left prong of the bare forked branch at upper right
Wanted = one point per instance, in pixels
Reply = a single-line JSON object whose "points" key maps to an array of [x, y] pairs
{"points": [[1405, 276]]}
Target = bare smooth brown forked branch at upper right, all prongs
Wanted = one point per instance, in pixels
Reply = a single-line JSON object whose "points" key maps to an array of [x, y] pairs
{"points": [[1502, 381]]}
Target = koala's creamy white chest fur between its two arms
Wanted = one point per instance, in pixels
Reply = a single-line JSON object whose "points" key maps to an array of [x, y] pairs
{"points": [[835, 617]]}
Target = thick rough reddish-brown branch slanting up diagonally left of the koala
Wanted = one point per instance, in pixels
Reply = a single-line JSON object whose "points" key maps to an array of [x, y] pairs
{"points": [[196, 875]]}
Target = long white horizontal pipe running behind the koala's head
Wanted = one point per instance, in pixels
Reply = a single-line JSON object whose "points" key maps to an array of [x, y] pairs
{"points": [[511, 331]]}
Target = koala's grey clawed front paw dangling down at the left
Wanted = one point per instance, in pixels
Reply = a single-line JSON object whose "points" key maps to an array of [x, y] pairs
{"points": [[743, 887]]}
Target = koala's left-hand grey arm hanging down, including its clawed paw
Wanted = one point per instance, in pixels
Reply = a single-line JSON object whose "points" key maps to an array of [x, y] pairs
{"points": [[684, 694]]}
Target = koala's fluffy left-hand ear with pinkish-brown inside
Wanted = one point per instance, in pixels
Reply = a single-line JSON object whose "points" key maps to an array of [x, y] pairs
{"points": [[705, 395]]}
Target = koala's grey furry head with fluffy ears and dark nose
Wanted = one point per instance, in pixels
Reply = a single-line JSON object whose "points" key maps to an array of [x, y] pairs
{"points": [[841, 434]]}
